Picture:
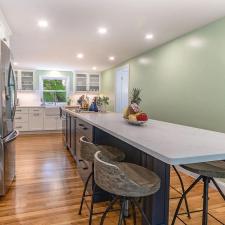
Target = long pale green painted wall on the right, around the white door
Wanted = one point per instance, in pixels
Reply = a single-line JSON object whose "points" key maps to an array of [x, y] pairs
{"points": [[182, 81]]}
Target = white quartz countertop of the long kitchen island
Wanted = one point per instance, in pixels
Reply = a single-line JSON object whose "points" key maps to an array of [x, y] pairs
{"points": [[172, 143]]}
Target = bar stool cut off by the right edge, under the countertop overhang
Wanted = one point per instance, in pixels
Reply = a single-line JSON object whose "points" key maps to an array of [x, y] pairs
{"points": [[207, 172]]}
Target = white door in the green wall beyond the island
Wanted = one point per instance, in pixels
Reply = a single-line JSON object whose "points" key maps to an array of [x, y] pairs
{"points": [[122, 87]]}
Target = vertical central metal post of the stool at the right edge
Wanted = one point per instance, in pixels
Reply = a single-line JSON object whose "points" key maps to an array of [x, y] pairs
{"points": [[206, 181]]}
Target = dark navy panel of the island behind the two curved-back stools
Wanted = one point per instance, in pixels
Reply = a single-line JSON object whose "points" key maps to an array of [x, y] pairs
{"points": [[156, 206]]}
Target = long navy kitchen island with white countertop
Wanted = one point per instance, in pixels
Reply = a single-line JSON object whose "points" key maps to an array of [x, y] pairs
{"points": [[156, 146]]}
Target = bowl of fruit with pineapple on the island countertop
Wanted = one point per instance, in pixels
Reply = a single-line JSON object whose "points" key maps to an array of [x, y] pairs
{"points": [[133, 113]]}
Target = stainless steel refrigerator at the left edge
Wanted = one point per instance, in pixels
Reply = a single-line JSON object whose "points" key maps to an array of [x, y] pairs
{"points": [[7, 113]]}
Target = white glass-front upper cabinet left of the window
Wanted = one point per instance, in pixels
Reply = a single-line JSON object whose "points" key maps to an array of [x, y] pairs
{"points": [[24, 80]]}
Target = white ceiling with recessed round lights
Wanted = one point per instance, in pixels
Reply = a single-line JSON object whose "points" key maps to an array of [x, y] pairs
{"points": [[73, 29]]}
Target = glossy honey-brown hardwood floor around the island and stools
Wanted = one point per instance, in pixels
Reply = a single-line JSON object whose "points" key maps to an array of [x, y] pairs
{"points": [[48, 188]]}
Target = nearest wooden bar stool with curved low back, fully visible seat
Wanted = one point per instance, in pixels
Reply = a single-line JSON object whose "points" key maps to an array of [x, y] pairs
{"points": [[126, 182]]}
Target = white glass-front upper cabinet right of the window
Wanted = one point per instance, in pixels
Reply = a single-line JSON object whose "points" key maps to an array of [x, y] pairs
{"points": [[87, 82]]}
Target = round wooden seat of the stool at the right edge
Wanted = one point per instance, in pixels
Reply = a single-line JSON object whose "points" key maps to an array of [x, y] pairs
{"points": [[214, 169]]}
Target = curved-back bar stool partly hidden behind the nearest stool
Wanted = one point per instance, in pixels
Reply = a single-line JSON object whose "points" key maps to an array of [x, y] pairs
{"points": [[87, 152]]}
